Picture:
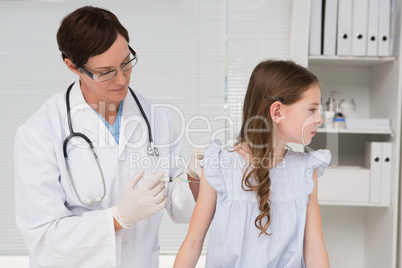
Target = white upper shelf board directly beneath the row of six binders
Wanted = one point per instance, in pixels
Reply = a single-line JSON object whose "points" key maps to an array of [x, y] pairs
{"points": [[350, 61]]}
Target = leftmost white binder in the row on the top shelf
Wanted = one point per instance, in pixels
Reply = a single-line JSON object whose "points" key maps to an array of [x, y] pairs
{"points": [[315, 27]]}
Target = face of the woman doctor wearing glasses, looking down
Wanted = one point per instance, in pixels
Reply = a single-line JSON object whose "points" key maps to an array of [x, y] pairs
{"points": [[115, 89]]}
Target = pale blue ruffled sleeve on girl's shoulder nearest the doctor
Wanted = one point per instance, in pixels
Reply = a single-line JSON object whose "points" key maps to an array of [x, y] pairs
{"points": [[213, 165]]}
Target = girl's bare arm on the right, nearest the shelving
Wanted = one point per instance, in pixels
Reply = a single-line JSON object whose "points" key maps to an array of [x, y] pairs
{"points": [[315, 253]]}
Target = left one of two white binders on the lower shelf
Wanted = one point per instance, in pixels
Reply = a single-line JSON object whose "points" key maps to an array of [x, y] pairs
{"points": [[373, 152]]}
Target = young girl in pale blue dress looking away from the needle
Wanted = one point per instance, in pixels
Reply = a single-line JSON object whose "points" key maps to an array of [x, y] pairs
{"points": [[262, 197]]}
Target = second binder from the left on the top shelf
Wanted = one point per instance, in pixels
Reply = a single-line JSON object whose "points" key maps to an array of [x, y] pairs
{"points": [[330, 17]]}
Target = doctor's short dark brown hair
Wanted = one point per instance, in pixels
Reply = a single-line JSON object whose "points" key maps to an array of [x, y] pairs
{"points": [[87, 32]]}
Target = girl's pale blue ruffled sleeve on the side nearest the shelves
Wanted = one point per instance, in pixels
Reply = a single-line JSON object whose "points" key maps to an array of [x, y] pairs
{"points": [[315, 160]]}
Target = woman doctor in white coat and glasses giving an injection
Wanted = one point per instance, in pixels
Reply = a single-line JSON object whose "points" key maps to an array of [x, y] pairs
{"points": [[78, 207]]}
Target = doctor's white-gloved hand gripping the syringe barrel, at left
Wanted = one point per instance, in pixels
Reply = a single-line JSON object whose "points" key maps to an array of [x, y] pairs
{"points": [[142, 202]]}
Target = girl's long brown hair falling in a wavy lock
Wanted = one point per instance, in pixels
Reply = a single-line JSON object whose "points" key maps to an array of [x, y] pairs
{"points": [[283, 79]]}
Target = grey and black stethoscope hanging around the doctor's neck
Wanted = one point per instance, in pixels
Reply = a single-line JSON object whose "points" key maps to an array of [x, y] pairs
{"points": [[152, 150]]}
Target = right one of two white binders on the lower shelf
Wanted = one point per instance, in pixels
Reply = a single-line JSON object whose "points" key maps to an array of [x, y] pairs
{"points": [[386, 172]]}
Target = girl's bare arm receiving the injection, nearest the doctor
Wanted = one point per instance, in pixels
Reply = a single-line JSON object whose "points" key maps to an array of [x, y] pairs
{"points": [[202, 216]]}
